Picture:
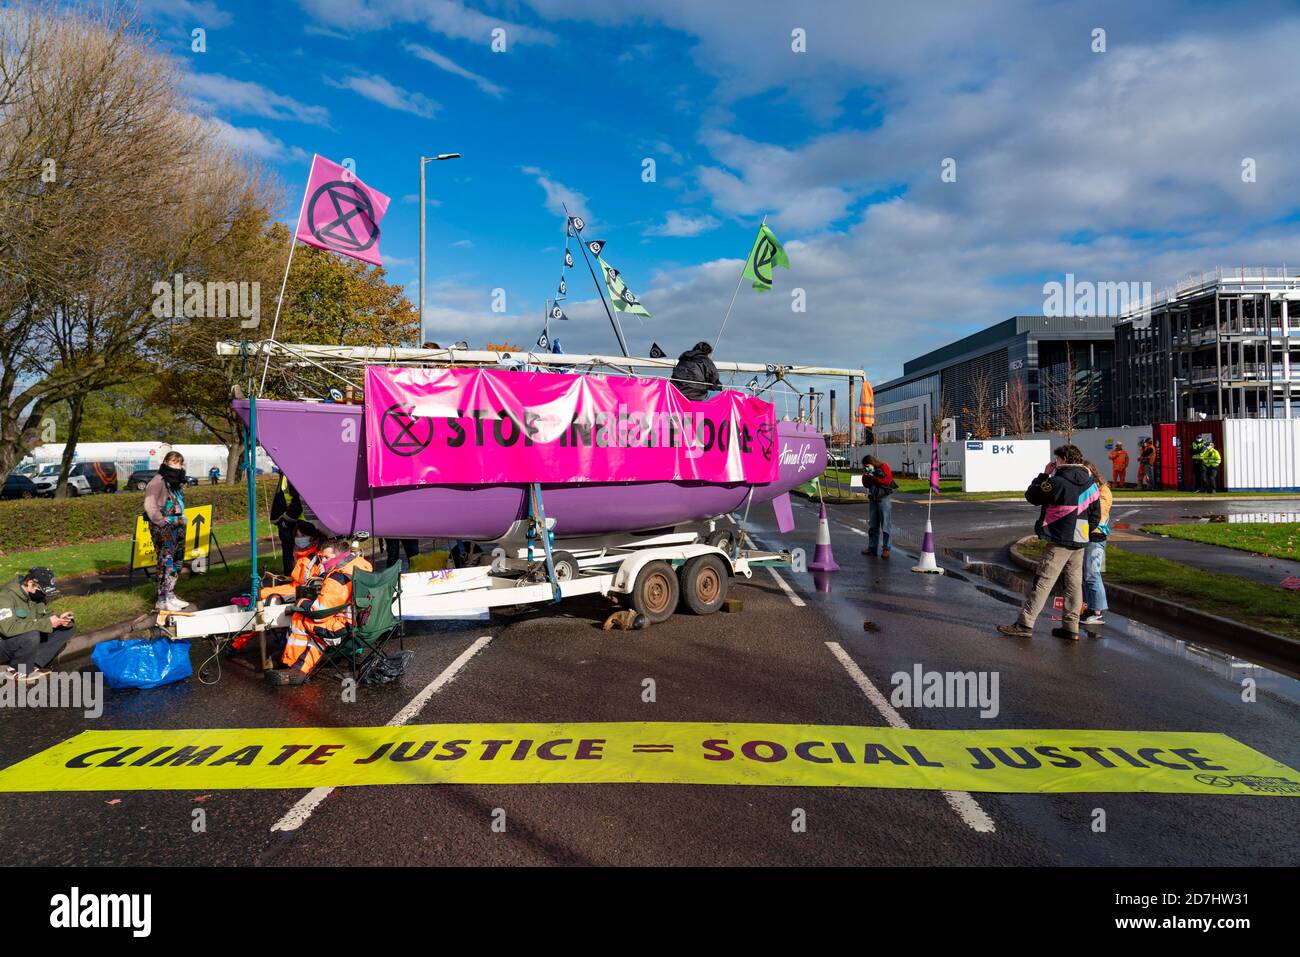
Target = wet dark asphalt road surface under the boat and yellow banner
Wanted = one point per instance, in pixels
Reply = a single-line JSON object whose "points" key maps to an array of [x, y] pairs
{"points": [[769, 664]]}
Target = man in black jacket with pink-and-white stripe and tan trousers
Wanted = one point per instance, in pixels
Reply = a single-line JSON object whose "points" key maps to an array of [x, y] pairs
{"points": [[1069, 509]]}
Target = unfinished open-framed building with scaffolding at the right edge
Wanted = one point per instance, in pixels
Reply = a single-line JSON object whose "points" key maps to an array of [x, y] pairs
{"points": [[1225, 344]]}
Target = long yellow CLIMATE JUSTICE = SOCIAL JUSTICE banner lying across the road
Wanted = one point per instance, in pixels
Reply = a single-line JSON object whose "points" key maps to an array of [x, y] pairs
{"points": [[656, 754]]}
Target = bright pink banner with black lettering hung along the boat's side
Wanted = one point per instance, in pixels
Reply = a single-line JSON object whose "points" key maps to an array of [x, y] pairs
{"points": [[478, 427]]}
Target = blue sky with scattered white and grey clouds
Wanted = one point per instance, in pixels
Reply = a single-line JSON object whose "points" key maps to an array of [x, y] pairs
{"points": [[1117, 166]]}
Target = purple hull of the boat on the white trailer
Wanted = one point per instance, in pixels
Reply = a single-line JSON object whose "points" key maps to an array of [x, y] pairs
{"points": [[322, 448]]}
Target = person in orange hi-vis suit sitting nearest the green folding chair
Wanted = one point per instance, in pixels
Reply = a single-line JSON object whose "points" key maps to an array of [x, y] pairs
{"points": [[313, 631]]}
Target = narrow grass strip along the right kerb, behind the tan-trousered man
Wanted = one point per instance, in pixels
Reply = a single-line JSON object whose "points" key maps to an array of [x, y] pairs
{"points": [[1251, 603]]}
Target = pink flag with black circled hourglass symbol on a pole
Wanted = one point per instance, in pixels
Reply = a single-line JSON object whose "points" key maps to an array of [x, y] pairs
{"points": [[341, 214]]}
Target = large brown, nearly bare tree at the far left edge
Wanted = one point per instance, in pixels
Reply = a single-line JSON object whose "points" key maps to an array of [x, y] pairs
{"points": [[109, 183]]}
